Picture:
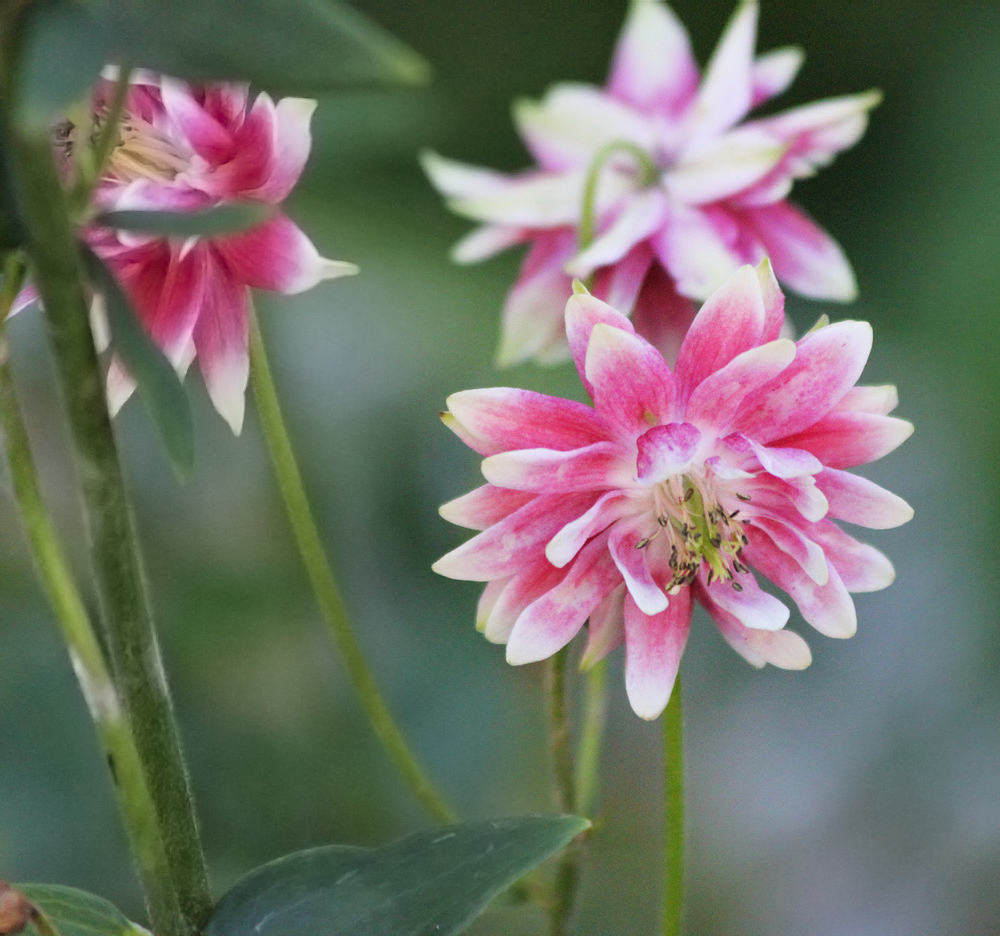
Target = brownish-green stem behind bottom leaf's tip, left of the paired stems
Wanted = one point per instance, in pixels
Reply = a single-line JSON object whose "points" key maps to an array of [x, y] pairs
{"points": [[560, 744]]}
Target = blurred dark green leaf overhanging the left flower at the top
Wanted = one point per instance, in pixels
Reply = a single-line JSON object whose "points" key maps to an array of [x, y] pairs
{"points": [[300, 47]]}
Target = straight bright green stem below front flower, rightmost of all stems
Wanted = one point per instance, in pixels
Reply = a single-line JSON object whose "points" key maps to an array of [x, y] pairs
{"points": [[673, 801]]}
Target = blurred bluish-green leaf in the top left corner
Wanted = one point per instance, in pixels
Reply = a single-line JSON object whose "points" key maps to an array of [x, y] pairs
{"points": [[63, 46]]}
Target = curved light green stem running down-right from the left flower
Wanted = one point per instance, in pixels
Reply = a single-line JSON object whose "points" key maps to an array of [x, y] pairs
{"points": [[325, 587]]}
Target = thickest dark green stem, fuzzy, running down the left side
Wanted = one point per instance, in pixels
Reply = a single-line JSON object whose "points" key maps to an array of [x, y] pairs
{"points": [[138, 667]]}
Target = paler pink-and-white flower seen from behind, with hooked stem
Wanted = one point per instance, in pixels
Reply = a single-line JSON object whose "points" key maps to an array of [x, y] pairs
{"points": [[685, 192]]}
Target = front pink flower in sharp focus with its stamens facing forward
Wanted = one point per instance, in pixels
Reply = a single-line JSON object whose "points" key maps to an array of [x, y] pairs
{"points": [[675, 485]]}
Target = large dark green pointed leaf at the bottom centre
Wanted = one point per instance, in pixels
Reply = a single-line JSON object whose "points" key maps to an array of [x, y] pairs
{"points": [[430, 883]]}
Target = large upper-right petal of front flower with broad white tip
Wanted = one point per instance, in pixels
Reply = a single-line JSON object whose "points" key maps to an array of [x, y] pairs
{"points": [[827, 364]]}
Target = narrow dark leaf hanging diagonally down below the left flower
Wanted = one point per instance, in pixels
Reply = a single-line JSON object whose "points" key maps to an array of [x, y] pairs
{"points": [[155, 377]]}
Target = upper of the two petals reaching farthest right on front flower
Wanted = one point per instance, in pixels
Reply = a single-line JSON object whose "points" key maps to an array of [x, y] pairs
{"points": [[843, 440]]}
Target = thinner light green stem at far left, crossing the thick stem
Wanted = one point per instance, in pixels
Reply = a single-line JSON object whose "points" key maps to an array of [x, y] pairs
{"points": [[95, 681]]}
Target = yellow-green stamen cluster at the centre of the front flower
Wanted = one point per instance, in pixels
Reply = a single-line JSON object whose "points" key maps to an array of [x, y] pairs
{"points": [[698, 528]]}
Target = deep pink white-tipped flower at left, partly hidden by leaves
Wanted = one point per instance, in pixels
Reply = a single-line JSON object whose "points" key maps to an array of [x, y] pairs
{"points": [[184, 148]]}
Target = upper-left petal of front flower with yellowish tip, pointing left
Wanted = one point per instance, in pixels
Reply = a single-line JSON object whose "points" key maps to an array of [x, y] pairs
{"points": [[500, 419]]}
